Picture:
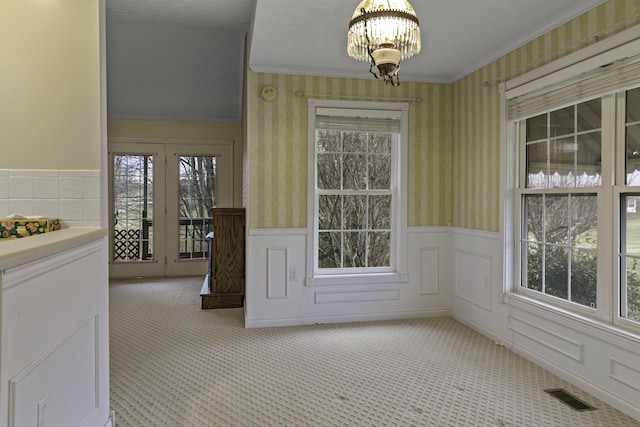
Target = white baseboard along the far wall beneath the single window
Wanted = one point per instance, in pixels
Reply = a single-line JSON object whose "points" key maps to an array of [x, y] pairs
{"points": [[367, 317]]}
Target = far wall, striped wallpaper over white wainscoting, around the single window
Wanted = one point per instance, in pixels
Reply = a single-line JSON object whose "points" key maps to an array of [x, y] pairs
{"points": [[277, 206]]}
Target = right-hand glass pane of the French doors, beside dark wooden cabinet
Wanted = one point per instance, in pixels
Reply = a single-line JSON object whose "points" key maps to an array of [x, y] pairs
{"points": [[196, 189]]}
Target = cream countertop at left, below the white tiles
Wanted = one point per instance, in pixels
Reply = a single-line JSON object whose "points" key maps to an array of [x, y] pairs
{"points": [[14, 252]]}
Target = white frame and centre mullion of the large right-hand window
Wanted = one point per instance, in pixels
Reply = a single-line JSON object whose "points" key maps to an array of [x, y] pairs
{"points": [[618, 50]]}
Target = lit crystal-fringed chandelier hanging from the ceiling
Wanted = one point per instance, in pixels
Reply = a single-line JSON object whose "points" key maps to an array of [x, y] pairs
{"points": [[383, 32]]}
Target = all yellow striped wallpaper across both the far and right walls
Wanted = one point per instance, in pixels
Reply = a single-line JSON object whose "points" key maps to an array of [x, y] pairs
{"points": [[454, 145]]}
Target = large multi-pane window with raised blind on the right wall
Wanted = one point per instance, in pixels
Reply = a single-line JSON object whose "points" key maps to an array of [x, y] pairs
{"points": [[576, 135]]}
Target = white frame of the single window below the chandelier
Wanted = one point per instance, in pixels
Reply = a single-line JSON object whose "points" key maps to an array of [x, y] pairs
{"points": [[398, 258]]}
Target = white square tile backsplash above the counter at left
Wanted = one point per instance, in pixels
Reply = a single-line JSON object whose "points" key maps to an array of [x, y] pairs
{"points": [[73, 196]]}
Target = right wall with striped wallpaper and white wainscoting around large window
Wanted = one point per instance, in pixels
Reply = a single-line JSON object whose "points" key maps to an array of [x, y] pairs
{"points": [[592, 355]]}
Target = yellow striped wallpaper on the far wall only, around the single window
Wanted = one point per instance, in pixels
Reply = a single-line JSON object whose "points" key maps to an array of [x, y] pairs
{"points": [[277, 148]]}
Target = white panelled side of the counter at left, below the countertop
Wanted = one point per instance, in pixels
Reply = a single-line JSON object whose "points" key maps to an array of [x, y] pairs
{"points": [[55, 339]]}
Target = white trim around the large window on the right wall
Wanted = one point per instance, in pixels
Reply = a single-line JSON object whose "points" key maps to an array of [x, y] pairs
{"points": [[618, 47]]}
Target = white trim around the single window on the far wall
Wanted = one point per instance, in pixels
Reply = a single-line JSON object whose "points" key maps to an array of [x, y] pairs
{"points": [[400, 258]]}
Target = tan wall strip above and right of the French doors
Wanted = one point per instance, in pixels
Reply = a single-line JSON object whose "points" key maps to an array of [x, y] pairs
{"points": [[183, 131]]}
